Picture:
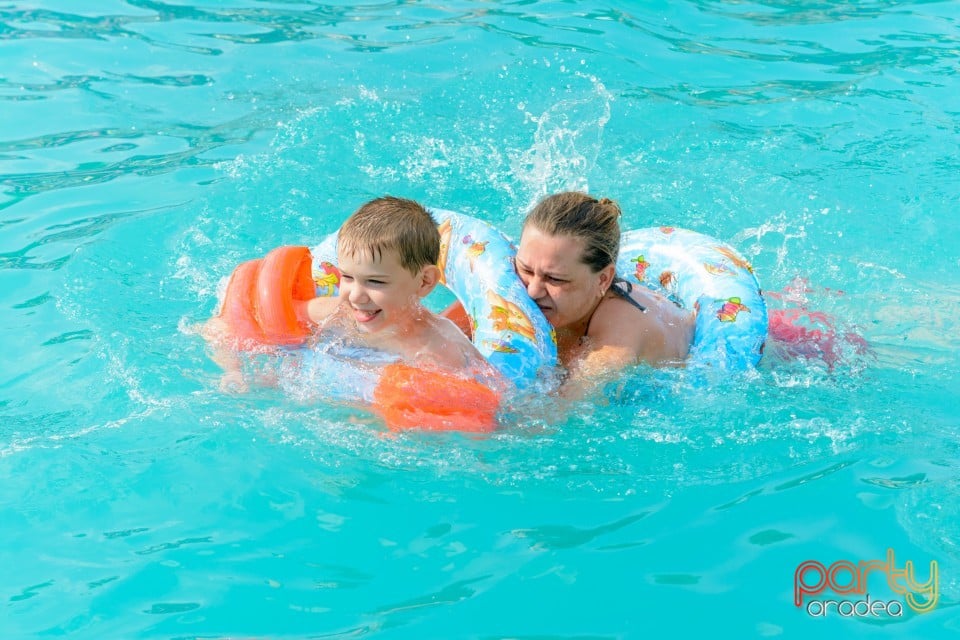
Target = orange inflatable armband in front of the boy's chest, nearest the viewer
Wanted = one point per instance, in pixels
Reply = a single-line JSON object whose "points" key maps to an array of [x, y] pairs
{"points": [[411, 398]]}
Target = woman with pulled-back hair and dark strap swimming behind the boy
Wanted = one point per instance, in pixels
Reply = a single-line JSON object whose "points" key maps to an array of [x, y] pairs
{"points": [[567, 261]]}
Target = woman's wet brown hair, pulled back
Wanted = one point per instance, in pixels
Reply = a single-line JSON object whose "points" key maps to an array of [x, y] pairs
{"points": [[579, 215]]}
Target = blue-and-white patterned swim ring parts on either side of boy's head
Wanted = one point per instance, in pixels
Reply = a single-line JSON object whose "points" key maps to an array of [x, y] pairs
{"points": [[477, 265]]}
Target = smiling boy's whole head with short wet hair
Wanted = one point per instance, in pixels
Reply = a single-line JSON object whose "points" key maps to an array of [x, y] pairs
{"points": [[387, 253]]}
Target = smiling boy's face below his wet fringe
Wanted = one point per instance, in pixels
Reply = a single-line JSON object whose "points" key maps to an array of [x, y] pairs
{"points": [[380, 292]]}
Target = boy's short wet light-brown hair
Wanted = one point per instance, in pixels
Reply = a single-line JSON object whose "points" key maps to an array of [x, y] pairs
{"points": [[392, 224]]}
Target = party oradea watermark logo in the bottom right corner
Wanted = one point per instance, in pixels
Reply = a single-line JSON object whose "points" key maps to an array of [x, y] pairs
{"points": [[812, 579]]}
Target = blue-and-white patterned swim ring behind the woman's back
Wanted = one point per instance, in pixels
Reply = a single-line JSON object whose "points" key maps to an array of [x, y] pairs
{"points": [[707, 275]]}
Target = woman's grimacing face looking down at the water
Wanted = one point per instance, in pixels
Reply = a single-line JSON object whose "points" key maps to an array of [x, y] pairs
{"points": [[564, 288]]}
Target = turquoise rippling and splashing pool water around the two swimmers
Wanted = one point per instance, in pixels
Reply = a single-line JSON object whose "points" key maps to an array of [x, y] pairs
{"points": [[147, 147]]}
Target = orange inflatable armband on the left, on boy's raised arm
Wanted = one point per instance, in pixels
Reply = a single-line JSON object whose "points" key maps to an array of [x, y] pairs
{"points": [[263, 302]]}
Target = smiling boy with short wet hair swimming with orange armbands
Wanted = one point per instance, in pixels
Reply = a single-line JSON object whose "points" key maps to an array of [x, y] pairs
{"points": [[387, 253]]}
